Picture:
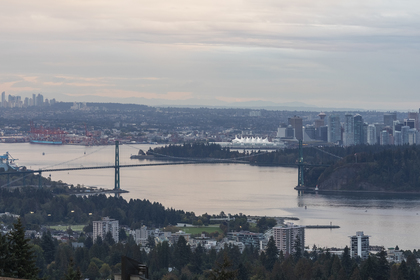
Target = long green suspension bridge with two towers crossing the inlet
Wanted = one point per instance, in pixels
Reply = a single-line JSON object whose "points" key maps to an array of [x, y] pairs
{"points": [[180, 161]]}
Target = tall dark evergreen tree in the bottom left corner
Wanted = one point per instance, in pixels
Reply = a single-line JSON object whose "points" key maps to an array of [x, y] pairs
{"points": [[22, 260]]}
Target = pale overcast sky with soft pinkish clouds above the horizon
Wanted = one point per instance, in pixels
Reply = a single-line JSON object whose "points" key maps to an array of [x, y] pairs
{"points": [[343, 53]]}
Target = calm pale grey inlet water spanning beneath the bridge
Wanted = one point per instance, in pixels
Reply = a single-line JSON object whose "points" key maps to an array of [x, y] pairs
{"points": [[236, 188]]}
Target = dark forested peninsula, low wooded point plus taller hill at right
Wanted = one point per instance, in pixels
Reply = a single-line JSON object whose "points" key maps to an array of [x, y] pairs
{"points": [[360, 168]]}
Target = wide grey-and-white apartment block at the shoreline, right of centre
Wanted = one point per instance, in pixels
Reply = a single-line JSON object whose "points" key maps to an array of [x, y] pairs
{"points": [[289, 237]]}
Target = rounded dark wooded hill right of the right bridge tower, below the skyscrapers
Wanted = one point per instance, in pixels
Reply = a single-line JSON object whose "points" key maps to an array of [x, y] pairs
{"points": [[394, 169]]}
